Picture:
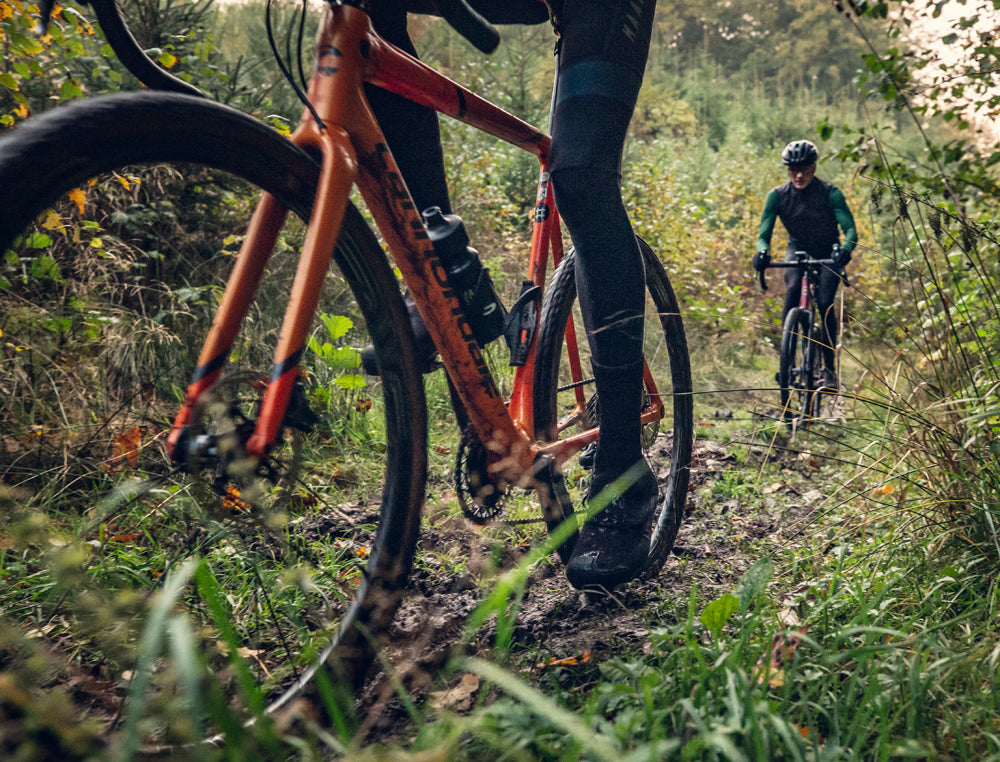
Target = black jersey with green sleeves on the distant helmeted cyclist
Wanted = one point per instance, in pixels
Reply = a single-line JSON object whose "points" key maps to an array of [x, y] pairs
{"points": [[811, 216]]}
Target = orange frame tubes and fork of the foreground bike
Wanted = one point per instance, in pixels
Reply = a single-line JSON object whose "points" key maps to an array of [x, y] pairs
{"points": [[354, 151]]}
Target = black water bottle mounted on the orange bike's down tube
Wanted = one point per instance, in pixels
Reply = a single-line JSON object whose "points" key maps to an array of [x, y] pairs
{"points": [[466, 274]]}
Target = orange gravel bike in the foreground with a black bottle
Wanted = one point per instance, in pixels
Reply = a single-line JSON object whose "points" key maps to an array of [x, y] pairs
{"points": [[287, 578]]}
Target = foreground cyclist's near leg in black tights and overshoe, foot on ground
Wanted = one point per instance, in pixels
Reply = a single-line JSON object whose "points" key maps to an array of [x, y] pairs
{"points": [[604, 48]]}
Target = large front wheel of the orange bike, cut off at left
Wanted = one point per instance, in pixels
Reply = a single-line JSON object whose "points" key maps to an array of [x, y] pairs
{"points": [[143, 200]]}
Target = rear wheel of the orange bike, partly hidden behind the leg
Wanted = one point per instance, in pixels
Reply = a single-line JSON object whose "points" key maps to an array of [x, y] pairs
{"points": [[667, 443]]}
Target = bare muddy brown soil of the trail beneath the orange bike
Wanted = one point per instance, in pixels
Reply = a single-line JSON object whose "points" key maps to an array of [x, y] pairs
{"points": [[721, 537]]}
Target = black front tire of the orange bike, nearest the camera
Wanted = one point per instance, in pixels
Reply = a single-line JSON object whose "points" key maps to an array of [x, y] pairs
{"points": [[50, 155]]}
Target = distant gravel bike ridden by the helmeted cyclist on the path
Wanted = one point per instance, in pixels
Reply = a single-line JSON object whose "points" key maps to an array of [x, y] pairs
{"points": [[800, 369]]}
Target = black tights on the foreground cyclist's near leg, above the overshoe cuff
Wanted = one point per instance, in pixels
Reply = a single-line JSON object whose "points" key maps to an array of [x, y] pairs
{"points": [[601, 62]]}
